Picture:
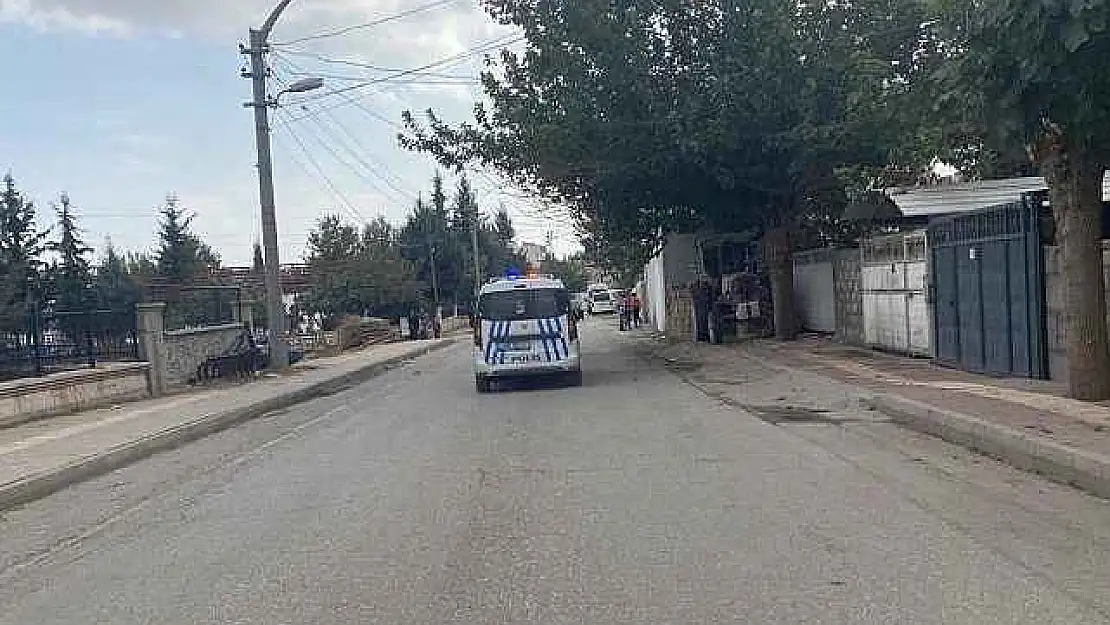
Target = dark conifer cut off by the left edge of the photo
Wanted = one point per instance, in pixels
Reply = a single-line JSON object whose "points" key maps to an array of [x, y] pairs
{"points": [[22, 249]]}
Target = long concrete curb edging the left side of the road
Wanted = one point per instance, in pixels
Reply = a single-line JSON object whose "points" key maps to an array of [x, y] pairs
{"points": [[38, 487]]}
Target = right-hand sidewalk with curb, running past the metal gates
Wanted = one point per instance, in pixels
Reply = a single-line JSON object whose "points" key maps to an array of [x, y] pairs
{"points": [[1026, 424]]}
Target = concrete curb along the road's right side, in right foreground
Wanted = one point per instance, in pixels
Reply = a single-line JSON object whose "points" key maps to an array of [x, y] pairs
{"points": [[1055, 461]]}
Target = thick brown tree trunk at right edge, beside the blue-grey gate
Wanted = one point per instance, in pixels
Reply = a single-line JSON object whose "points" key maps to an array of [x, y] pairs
{"points": [[1075, 182]]}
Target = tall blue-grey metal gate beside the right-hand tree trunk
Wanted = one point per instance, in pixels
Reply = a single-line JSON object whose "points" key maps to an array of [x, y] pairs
{"points": [[988, 290]]}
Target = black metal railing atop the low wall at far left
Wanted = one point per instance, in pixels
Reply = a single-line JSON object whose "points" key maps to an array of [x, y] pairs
{"points": [[54, 341]]}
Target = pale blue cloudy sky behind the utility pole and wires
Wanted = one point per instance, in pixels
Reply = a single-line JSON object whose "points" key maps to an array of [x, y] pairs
{"points": [[122, 103]]}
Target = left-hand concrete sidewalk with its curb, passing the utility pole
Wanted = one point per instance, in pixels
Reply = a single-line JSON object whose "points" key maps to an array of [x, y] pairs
{"points": [[41, 458]]}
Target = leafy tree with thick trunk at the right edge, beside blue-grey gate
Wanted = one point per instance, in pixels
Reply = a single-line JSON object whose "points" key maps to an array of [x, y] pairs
{"points": [[1032, 75]]}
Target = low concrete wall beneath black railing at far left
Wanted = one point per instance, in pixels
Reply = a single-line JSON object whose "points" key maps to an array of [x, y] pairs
{"points": [[72, 391]]}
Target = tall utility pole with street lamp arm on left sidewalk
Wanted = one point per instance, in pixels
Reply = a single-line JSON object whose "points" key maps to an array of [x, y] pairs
{"points": [[258, 74]]}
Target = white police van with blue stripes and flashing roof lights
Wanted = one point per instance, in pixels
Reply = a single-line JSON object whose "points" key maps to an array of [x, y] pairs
{"points": [[526, 327]]}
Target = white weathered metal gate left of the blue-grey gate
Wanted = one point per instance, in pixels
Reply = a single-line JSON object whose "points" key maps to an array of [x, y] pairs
{"points": [[894, 280]]}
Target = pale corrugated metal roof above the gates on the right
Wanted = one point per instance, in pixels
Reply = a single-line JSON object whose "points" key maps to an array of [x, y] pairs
{"points": [[964, 197]]}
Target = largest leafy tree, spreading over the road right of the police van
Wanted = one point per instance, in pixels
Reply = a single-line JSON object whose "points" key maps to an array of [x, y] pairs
{"points": [[650, 117]]}
